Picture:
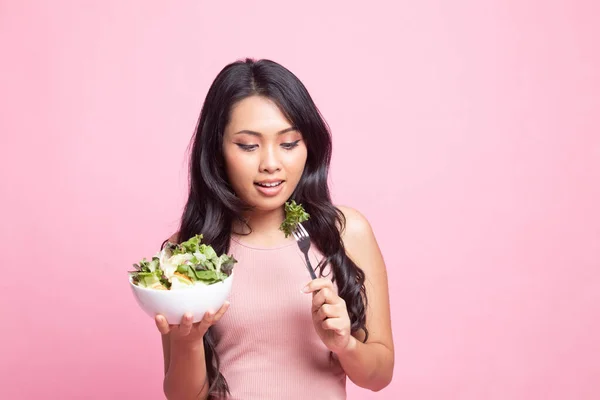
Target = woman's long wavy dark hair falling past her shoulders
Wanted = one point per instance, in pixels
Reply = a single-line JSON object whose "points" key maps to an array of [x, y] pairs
{"points": [[212, 207]]}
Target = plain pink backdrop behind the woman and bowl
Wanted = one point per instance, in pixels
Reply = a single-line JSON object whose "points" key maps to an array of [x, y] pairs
{"points": [[468, 132]]}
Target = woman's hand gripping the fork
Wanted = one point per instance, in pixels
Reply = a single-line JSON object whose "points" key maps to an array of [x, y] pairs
{"points": [[330, 315]]}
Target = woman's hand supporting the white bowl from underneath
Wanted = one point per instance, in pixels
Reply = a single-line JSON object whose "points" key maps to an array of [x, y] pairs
{"points": [[187, 331]]}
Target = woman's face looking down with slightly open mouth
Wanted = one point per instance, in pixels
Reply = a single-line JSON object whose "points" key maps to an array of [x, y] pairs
{"points": [[264, 154]]}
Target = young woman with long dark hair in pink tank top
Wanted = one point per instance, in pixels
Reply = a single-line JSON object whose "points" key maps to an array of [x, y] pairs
{"points": [[260, 141]]}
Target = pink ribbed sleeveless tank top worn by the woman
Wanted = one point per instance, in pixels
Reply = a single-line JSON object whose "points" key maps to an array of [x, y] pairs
{"points": [[266, 341]]}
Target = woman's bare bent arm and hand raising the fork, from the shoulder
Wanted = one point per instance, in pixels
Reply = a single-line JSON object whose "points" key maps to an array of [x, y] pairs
{"points": [[371, 364]]}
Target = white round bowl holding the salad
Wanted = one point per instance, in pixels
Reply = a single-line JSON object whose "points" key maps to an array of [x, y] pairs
{"points": [[172, 304]]}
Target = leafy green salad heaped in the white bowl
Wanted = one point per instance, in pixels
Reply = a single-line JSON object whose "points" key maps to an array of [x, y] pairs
{"points": [[183, 265]]}
